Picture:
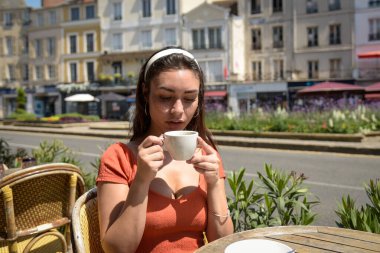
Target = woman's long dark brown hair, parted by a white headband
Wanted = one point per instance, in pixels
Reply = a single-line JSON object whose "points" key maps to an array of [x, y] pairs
{"points": [[142, 120]]}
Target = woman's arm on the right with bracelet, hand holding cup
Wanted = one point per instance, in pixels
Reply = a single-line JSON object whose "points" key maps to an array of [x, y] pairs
{"points": [[219, 222]]}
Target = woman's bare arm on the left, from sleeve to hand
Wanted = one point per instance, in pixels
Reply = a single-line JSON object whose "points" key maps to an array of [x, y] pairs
{"points": [[122, 209]]}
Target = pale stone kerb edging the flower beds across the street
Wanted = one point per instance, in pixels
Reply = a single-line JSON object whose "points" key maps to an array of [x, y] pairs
{"points": [[119, 130]]}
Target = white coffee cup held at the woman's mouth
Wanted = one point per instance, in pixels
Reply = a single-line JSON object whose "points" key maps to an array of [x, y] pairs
{"points": [[181, 145]]}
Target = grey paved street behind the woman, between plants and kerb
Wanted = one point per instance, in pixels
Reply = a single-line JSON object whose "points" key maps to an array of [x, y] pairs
{"points": [[330, 175]]}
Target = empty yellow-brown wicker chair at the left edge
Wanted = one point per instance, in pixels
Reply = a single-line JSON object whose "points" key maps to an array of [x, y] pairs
{"points": [[36, 206]]}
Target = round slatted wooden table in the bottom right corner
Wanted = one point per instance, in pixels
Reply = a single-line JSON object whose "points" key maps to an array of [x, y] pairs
{"points": [[304, 239]]}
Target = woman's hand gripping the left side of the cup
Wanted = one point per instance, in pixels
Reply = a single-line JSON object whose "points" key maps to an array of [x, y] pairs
{"points": [[150, 158]]}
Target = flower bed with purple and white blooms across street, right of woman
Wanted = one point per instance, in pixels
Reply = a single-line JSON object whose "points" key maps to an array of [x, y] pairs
{"points": [[360, 120]]}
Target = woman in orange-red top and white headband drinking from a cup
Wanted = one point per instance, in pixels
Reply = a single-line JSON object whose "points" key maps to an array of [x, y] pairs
{"points": [[147, 201]]}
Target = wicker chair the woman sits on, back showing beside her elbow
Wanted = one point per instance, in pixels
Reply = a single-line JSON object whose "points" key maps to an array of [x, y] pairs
{"points": [[85, 223]]}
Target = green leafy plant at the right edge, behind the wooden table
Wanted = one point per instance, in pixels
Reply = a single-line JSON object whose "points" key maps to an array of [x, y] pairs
{"points": [[367, 218]]}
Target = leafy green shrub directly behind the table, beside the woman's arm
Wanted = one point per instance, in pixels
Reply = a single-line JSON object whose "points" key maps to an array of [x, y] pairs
{"points": [[278, 199]]}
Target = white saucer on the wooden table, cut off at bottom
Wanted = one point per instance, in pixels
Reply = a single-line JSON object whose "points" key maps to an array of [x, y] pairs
{"points": [[258, 246]]}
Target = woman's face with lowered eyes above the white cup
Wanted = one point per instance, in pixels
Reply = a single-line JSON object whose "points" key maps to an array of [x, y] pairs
{"points": [[173, 100]]}
